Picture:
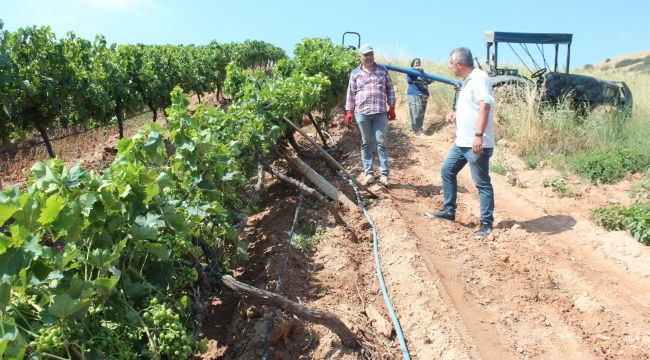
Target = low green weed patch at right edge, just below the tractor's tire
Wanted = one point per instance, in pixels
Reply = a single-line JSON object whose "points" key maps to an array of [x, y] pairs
{"points": [[608, 166]]}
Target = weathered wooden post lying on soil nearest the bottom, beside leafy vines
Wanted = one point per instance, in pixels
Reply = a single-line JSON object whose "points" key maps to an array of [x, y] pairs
{"points": [[321, 317]]}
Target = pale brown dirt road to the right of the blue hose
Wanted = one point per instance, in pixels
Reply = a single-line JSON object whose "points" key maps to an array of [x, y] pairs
{"points": [[546, 284]]}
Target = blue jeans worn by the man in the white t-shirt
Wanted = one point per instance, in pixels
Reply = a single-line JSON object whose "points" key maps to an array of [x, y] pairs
{"points": [[479, 166]]}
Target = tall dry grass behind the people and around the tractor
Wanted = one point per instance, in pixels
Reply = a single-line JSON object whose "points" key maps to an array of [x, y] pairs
{"points": [[543, 131]]}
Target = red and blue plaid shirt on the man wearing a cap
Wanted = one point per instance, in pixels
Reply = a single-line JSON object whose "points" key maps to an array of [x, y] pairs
{"points": [[368, 92]]}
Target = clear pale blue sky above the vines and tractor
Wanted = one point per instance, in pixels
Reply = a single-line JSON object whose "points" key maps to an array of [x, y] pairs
{"points": [[427, 29]]}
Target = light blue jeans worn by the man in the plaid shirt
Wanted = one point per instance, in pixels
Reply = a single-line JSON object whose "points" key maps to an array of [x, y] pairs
{"points": [[373, 126]]}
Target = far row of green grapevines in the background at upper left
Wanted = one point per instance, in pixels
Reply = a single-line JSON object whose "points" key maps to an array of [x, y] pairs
{"points": [[47, 83]]}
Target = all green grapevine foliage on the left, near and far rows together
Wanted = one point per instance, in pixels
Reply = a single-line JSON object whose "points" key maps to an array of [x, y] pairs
{"points": [[104, 265]]}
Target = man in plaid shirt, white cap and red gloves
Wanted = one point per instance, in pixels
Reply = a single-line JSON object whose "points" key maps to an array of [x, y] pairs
{"points": [[369, 90]]}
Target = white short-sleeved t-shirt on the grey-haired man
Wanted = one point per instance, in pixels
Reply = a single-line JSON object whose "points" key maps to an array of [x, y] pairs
{"points": [[476, 89]]}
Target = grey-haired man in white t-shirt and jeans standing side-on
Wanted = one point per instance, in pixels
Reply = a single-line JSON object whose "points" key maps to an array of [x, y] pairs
{"points": [[474, 117]]}
